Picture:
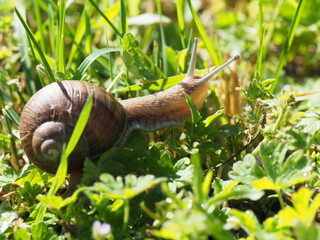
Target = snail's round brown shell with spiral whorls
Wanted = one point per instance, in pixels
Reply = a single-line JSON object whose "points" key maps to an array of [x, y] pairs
{"points": [[48, 119]]}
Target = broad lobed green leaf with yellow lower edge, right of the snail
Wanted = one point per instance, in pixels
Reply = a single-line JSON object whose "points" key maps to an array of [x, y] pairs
{"points": [[276, 171]]}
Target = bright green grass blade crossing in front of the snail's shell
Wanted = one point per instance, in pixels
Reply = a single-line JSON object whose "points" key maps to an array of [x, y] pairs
{"points": [[61, 174]]}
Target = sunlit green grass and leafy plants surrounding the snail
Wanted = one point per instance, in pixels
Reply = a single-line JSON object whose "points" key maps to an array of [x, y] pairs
{"points": [[245, 166]]}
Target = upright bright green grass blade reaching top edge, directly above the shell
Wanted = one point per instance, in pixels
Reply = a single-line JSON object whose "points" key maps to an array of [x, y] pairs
{"points": [[60, 42]]}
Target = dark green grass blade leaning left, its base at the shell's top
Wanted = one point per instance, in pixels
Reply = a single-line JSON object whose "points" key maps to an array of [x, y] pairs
{"points": [[51, 77]]}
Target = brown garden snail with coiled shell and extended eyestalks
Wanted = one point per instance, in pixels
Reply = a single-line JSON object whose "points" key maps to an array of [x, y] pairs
{"points": [[48, 118]]}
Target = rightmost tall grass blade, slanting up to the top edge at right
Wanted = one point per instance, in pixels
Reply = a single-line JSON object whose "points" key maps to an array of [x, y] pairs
{"points": [[287, 45]]}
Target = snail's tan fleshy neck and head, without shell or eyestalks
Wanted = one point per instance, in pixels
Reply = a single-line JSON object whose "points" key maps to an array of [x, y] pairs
{"points": [[164, 109]]}
